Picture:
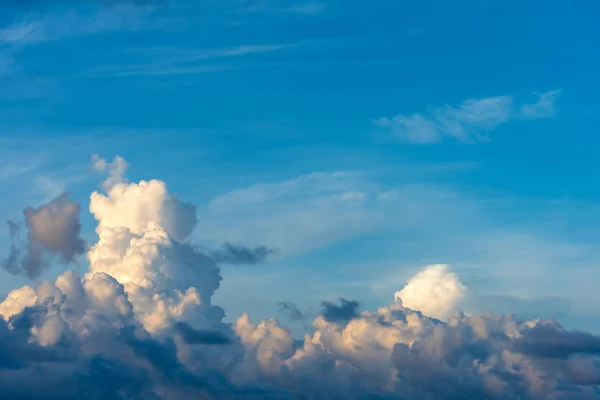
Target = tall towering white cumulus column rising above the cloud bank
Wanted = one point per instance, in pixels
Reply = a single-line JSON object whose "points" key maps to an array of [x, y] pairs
{"points": [[140, 228]]}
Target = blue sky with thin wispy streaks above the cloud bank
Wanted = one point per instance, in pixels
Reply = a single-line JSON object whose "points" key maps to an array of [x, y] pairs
{"points": [[363, 140]]}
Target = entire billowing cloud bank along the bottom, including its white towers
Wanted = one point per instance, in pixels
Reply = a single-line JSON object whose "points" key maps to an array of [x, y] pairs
{"points": [[141, 324]]}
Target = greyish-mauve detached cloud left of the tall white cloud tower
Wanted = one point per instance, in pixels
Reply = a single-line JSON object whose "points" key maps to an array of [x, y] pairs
{"points": [[53, 229]]}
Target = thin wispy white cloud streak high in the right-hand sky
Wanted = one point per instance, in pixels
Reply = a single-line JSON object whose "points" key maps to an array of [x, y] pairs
{"points": [[471, 121]]}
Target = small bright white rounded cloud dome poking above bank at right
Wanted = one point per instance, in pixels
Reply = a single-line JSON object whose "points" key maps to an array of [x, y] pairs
{"points": [[435, 291]]}
